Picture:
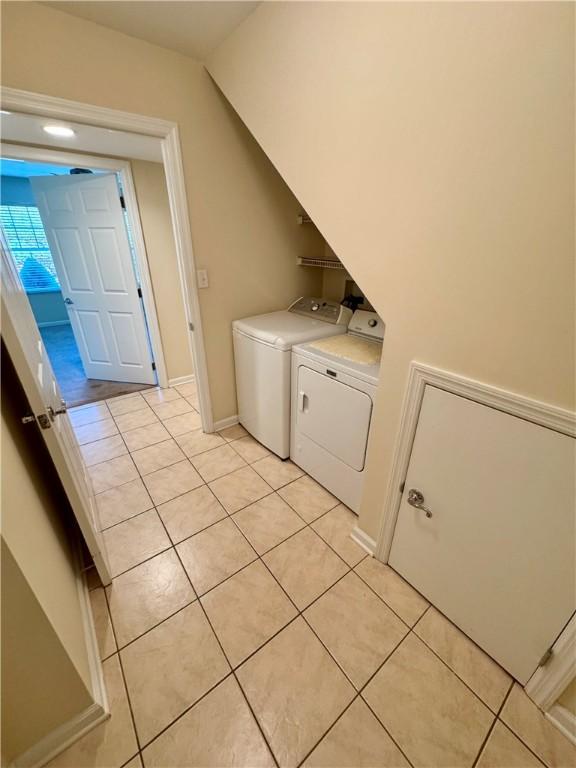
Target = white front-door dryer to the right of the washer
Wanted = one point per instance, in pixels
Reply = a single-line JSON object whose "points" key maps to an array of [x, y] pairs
{"points": [[334, 384]]}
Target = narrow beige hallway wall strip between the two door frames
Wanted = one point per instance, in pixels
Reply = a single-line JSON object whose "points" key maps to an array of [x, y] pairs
{"points": [[154, 208]]}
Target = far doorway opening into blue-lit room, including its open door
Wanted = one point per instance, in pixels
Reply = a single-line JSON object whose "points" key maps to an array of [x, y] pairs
{"points": [[69, 236]]}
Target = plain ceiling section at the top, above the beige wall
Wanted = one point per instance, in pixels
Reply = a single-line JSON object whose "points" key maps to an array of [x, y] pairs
{"points": [[189, 27]]}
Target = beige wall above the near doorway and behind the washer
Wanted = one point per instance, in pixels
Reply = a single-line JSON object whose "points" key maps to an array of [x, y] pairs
{"points": [[243, 217]]}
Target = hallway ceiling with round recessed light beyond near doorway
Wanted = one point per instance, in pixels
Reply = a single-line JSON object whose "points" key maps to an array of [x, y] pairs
{"points": [[27, 129]]}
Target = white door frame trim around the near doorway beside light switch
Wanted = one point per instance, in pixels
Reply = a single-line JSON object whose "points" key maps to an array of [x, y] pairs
{"points": [[64, 109]]}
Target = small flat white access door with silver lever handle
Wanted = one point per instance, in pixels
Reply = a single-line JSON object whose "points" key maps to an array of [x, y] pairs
{"points": [[497, 556]]}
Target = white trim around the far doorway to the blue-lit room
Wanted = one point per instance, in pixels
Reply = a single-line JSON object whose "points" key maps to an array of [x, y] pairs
{"points": [[124, 169]]}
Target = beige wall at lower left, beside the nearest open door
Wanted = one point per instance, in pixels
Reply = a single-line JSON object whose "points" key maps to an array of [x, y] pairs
{"points": [[45, 670]]}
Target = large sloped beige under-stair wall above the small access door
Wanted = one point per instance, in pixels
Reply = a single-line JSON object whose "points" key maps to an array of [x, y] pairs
{"points": [[433, 145]]}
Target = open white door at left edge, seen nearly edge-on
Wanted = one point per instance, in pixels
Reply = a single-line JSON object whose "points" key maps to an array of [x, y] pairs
{"points": [[30, 359]]}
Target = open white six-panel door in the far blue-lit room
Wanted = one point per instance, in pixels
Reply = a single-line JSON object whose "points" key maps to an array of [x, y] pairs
{"points": [[85, 228]]}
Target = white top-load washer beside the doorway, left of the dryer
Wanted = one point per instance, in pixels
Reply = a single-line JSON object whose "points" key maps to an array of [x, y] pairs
{"points": [[262, 355]]}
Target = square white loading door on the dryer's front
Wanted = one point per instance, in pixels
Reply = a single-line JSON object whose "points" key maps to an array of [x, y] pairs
{"points": [[334, 415]]}
